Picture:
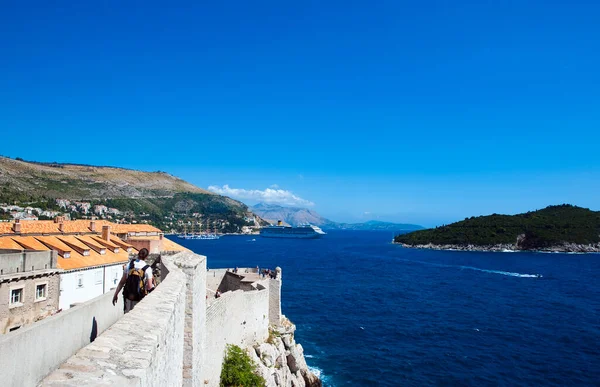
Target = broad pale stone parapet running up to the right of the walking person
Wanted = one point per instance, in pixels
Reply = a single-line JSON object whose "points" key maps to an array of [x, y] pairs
{"points": [[143, 348]]}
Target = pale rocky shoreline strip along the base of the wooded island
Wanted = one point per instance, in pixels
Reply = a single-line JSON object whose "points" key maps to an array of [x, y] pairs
{"points": [[564, 248]]}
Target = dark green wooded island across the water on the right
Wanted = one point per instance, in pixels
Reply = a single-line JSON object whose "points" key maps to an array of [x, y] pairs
{"points": [[555, 228]]}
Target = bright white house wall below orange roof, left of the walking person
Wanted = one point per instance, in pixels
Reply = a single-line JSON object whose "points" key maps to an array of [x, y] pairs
{"points": [[95, 282]]}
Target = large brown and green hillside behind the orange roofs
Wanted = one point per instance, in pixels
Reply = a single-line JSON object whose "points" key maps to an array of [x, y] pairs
{"points": [[156, 198]]}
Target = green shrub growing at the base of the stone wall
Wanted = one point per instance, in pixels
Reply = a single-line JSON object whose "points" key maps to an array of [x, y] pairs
{"points": [[239, 369]]}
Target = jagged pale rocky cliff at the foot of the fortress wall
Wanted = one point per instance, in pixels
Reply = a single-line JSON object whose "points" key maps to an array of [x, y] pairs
{"points": [[280, 361]]}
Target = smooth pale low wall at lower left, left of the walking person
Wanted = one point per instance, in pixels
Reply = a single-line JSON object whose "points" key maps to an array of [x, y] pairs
{"points": [[30, 353]]}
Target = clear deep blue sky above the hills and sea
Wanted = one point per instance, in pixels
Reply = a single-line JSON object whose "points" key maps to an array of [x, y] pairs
{"points": [[423, 112]]}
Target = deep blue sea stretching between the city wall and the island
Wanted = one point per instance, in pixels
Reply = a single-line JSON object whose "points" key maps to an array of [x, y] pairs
{"points": [[370, 313]]}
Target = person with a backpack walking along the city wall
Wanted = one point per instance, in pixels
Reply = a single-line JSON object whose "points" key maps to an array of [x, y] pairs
{"points": [[137, 281]]}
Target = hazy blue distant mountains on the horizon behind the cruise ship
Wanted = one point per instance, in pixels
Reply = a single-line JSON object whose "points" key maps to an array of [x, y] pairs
{"points": [[297, 215]]}
